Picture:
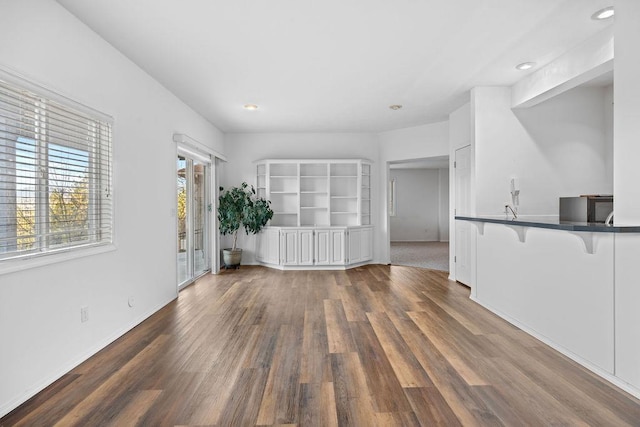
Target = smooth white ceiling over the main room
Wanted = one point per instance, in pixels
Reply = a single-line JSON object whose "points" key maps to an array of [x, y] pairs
{"points": [[335, 65]]}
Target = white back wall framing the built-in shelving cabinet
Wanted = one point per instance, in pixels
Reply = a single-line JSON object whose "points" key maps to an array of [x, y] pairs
{"points": [[243, 149]]}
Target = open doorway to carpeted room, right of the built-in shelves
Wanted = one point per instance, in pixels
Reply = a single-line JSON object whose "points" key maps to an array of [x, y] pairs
{"points": [[419, 213]]}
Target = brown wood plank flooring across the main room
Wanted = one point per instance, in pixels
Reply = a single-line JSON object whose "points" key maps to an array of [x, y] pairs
{"points": [[376, 345]]}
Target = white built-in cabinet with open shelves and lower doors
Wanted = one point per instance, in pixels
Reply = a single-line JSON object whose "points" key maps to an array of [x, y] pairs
{"points": [[322, 212]]}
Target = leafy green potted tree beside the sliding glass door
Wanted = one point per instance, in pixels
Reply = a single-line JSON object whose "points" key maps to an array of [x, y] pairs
{"points": [[240, 207]]}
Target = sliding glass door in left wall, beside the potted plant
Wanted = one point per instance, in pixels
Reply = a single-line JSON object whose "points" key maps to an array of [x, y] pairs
{"points": [[193, 259]]}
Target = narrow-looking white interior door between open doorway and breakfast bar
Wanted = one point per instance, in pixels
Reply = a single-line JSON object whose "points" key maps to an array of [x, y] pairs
{"points": [[463, 207]]}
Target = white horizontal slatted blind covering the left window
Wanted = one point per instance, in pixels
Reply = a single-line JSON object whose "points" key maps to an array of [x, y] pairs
{"points": [[55, 174]]}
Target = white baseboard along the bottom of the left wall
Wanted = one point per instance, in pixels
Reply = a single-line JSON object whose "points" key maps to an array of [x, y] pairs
{"points": [[67, 367]]}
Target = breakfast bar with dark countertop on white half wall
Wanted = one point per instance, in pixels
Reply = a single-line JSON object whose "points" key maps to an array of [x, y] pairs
{"points": [[557, 281]]}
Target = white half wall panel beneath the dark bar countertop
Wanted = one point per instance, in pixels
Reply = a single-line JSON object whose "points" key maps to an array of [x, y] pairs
{"points": [[552, 288]]}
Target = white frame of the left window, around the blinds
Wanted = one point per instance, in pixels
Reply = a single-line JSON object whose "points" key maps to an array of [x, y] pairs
{"points": [[49, 253]]}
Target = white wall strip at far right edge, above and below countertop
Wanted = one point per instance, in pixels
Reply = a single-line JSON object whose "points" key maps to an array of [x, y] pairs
{"points": [[626, 190]]}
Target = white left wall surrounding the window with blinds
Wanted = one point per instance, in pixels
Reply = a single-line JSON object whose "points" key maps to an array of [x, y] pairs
{"points": [[40, 329]]}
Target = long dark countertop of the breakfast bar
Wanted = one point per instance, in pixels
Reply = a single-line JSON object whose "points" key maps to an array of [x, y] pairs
{"points": [[593, 227]]}
